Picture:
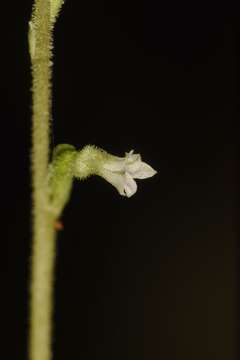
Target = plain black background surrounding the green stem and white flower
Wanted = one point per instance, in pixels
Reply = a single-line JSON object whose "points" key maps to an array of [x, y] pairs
{"points": [[154, 276]]}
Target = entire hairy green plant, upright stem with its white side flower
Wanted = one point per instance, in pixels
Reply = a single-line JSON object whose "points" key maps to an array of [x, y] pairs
{"points": [[52, 183]]}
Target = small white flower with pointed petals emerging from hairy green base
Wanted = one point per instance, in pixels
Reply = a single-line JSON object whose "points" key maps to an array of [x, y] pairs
{"points": [[121, 172]]}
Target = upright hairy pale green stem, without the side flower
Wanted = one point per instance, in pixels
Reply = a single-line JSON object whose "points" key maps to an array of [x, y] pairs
{"points": [[44, 237]]}
